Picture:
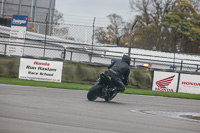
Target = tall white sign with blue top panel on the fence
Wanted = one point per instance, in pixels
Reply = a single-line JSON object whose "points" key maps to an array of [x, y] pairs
{"points": [[17, 34]]}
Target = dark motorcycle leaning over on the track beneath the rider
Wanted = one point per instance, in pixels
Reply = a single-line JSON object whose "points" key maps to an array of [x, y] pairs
{"points": [[103, 88]]}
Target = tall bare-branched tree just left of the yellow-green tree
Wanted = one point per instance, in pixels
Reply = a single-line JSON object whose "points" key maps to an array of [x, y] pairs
{"points": [[149, 33]]}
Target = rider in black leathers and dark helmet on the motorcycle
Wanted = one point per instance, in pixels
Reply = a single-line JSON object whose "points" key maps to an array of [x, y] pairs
{"points": [[119, 72]]}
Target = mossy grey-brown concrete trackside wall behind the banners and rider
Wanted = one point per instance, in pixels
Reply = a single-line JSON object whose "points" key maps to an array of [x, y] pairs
{"points": [[79, 73]]}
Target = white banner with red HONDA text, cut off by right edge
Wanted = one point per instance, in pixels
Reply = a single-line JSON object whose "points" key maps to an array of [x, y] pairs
{"points": [[189, 84]]}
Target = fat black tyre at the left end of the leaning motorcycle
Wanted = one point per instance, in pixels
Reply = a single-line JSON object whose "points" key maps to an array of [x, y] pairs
{"points": [[94, 91]]}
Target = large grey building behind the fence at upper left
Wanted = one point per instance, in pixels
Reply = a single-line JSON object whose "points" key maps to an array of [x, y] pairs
{"points": [[37, 11]]}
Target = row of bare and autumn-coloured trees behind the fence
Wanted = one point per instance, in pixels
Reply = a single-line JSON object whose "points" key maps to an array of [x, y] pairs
{"points": [[162, 25]]}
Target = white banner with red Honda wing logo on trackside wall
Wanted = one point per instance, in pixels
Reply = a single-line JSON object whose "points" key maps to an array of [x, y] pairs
{"points": [[165, 81]]}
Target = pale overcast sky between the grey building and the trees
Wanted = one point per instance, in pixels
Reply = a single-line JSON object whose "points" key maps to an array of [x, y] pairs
{"points": [[83, 11]]}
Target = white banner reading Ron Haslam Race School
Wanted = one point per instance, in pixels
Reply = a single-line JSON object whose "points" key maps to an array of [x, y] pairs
{"points": [[41, 70]]}
